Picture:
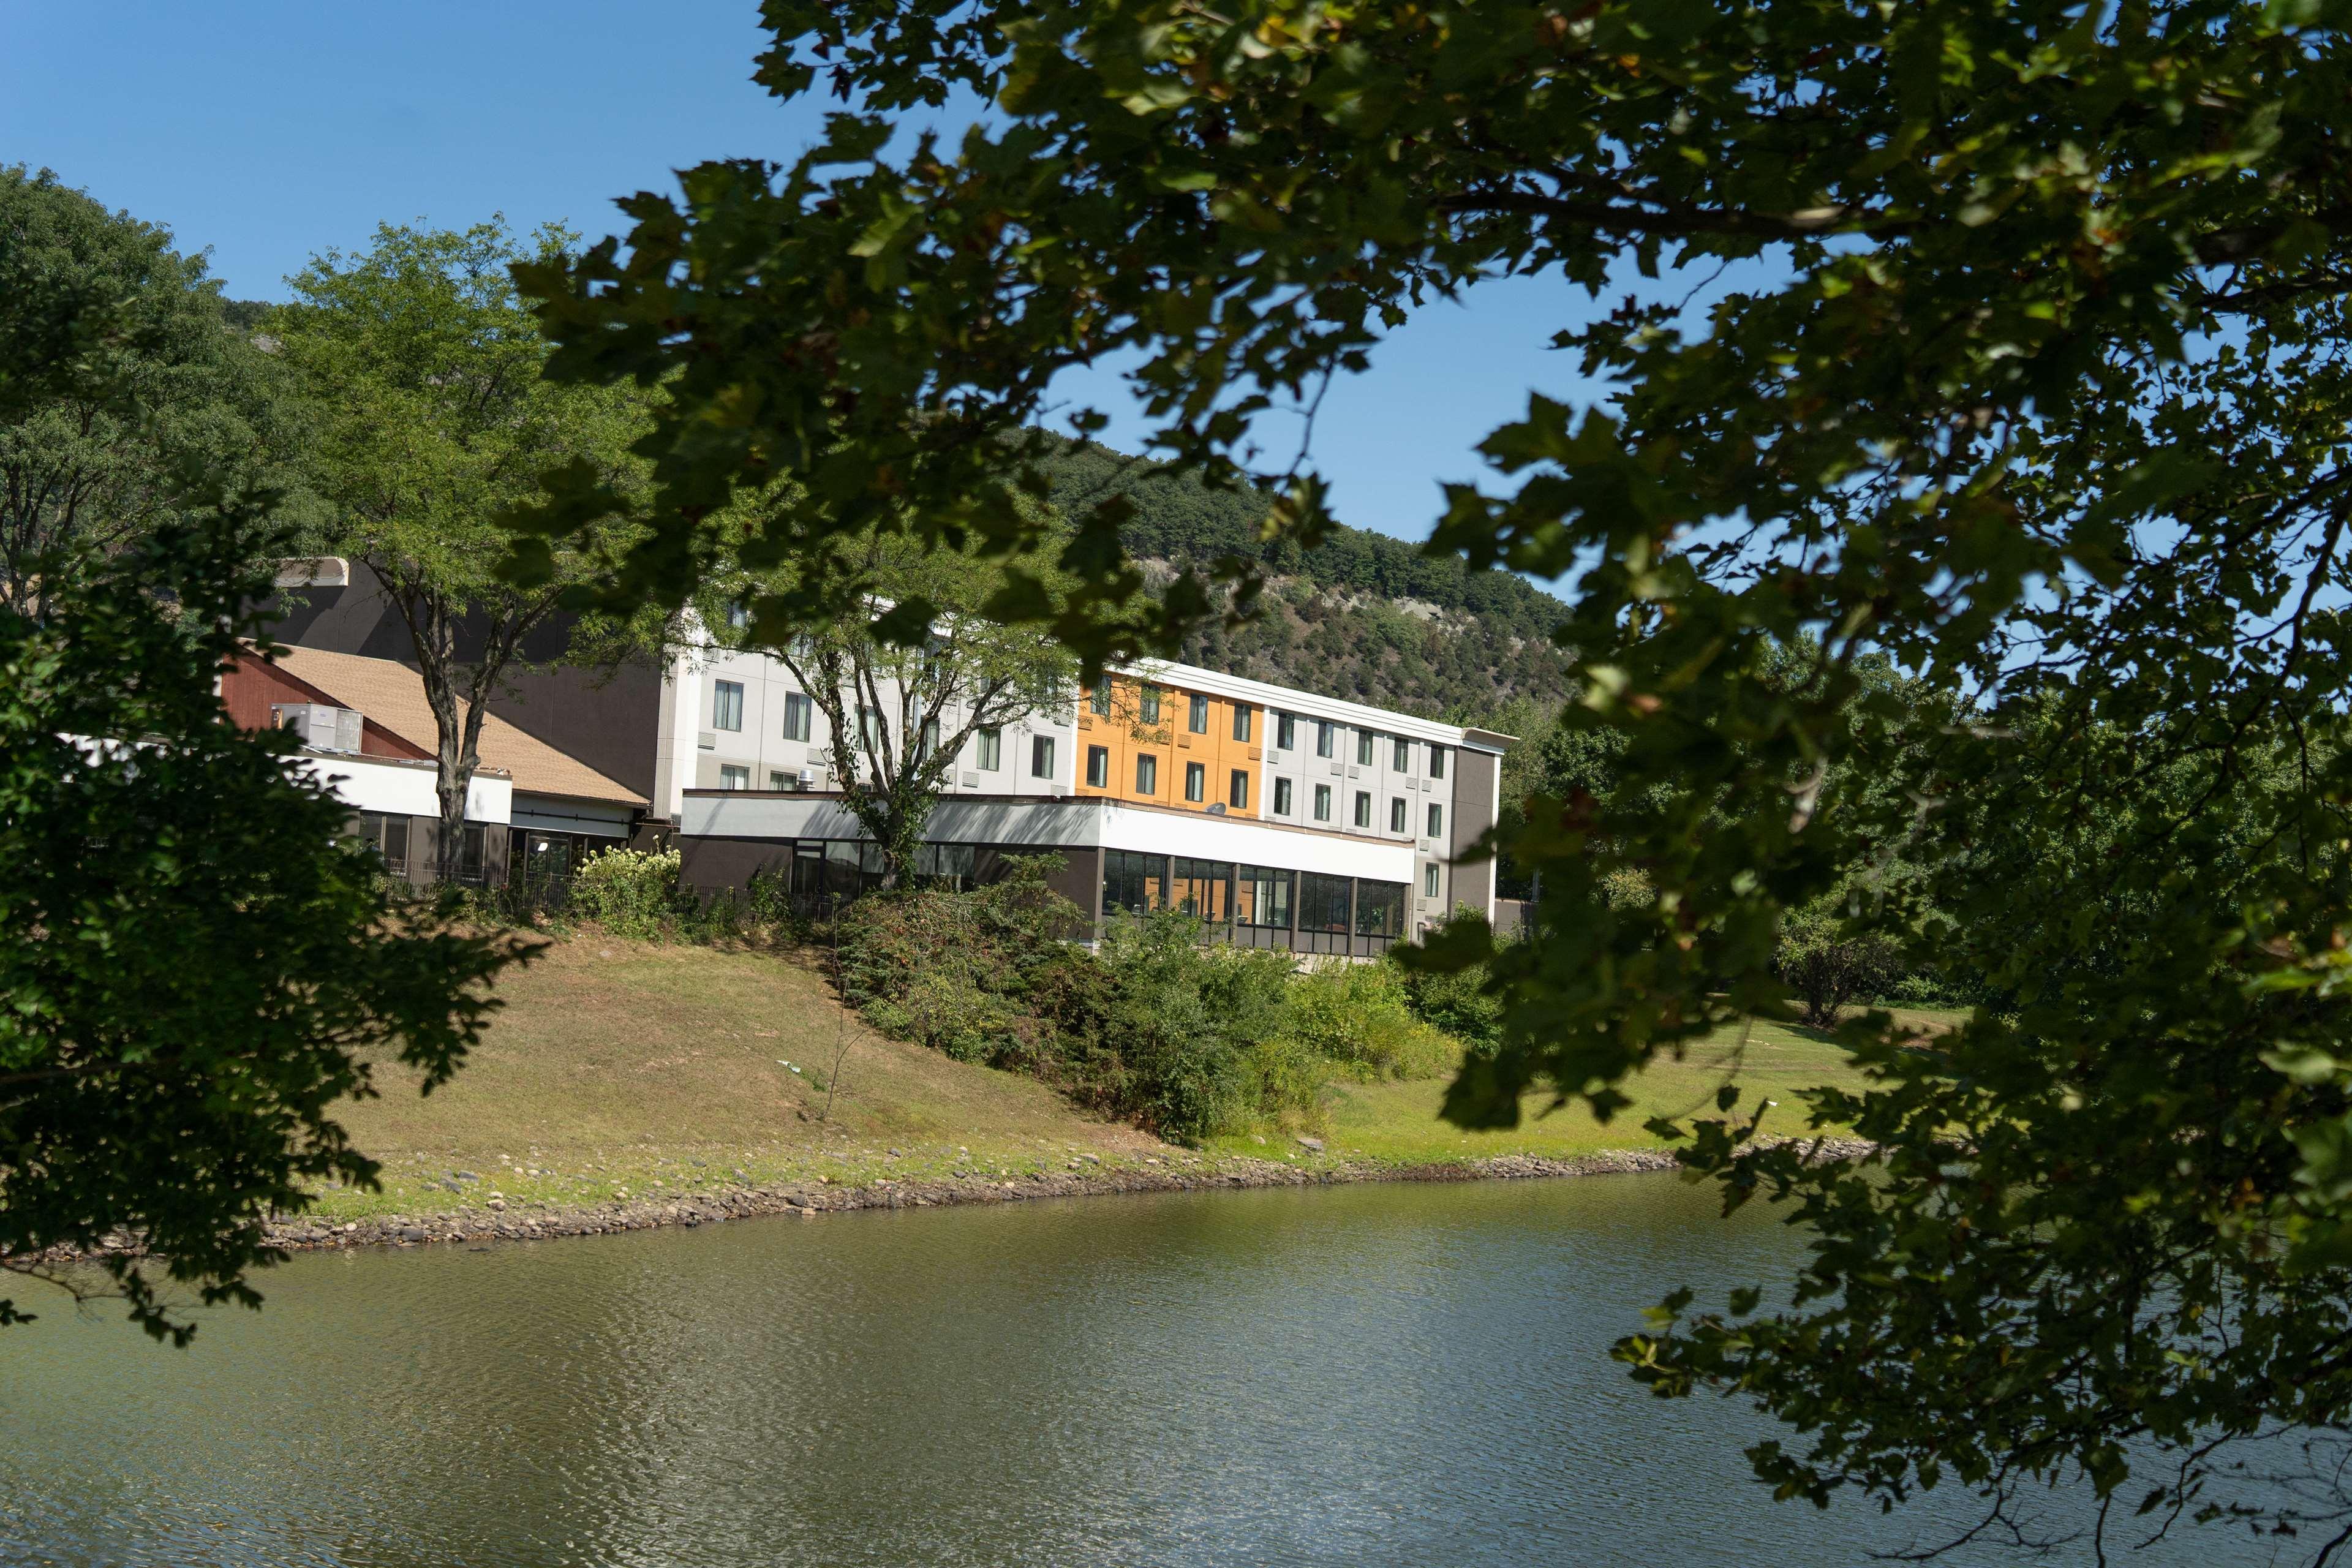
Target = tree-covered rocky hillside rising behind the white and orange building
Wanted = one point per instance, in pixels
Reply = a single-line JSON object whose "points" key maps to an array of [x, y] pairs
{"points": [[1363, 617]]}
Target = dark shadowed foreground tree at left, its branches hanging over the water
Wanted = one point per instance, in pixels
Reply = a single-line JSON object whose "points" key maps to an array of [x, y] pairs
{"points": [[196, 970]]}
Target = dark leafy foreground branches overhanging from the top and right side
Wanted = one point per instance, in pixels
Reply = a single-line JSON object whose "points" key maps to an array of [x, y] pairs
{"points": [[2017, 359]]}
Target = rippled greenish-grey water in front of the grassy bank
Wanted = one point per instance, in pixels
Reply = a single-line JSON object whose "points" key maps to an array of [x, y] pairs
{"points": [[1384, 1374]]}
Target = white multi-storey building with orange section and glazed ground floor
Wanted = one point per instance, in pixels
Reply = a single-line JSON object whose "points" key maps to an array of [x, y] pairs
{"points": [[1278, 817]]}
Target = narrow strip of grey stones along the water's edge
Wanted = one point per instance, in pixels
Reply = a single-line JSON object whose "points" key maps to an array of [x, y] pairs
{"points": [[822, 1198]]}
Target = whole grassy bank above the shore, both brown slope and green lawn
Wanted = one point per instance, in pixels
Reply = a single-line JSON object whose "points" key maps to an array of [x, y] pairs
{"points": [[664, 1071]]}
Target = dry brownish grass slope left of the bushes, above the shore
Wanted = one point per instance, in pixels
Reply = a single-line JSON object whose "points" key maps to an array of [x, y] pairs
{"points": [[624, 1064]]}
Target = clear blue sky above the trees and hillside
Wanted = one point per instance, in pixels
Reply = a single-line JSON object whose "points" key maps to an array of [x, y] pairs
{"points": [[267, 133]]}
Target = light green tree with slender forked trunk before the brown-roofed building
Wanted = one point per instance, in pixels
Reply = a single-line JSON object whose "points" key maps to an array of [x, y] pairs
{"points": [[434, 427]]}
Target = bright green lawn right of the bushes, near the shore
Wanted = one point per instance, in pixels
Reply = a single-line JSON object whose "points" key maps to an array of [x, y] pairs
{"points": [[1398, 1123]]}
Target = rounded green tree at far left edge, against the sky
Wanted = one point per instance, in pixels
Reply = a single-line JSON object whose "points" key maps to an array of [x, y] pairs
{"points": [[98, 462]]}
